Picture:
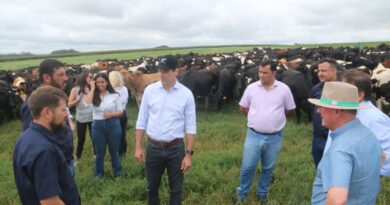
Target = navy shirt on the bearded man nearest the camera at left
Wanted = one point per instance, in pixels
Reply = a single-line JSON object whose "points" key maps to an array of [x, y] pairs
{"points": [[40, 168]]}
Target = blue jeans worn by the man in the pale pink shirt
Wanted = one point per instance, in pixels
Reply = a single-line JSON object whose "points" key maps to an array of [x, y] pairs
{"points": [[256, 147]]}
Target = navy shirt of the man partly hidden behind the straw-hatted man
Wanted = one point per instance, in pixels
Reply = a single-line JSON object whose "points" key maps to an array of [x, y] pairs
{"points": [[318, 129]]}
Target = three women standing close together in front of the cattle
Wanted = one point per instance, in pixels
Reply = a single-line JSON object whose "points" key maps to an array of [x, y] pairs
{"points": [[100, 103]]}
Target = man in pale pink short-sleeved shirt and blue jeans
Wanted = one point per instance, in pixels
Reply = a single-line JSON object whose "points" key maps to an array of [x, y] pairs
{"points": [[266, 104]]}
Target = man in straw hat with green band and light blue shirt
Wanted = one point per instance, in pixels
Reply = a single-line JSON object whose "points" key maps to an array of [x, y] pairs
{"points": [[348, 173]]}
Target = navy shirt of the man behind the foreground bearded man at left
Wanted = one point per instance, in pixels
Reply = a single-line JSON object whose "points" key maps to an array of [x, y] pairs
{"points": [[65, 136]]}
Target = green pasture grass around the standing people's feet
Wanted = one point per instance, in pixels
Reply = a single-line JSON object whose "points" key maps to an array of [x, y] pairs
{"points": [[213, 177]]}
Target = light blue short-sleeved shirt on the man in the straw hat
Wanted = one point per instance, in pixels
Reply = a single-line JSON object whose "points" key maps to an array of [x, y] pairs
{"points": [[352, 162]]}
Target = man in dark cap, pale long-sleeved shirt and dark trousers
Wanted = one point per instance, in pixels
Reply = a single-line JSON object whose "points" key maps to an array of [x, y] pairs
{"points": [[167, 113]]}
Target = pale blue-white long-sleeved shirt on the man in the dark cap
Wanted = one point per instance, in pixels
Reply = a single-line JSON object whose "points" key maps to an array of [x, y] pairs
{"points": [[166, 115]]}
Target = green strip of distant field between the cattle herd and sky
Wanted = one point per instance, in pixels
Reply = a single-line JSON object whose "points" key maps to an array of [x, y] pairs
{"points": [[14, 63]]}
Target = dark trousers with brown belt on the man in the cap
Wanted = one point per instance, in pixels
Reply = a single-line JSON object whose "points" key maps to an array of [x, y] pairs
{"points": [[157, 160]]}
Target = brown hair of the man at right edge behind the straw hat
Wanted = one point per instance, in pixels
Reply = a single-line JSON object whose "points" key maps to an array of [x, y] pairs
{"points": [[359, 79]]}
